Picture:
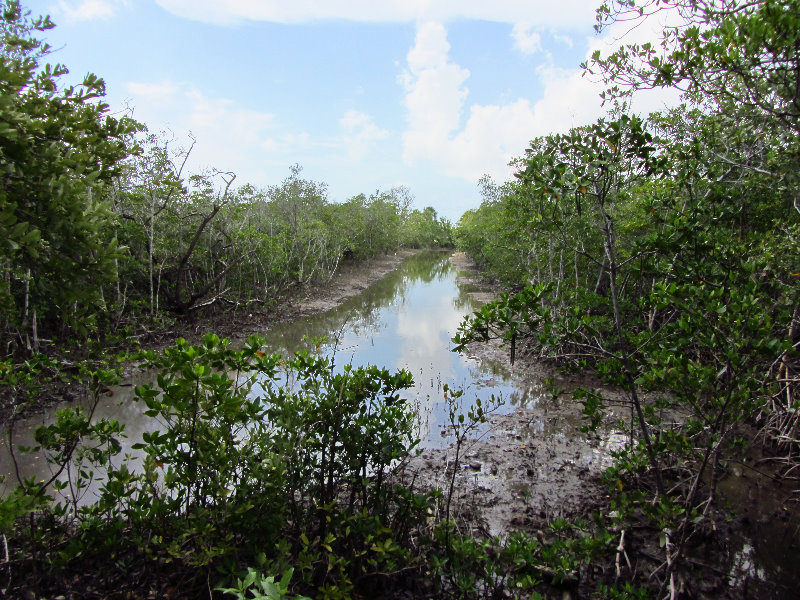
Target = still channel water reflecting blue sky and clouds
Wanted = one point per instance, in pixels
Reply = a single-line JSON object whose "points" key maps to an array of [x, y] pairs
{"points": [[404, 321]]}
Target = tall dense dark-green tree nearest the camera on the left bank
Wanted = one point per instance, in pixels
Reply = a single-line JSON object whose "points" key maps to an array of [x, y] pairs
{"points": [[59, 152]]}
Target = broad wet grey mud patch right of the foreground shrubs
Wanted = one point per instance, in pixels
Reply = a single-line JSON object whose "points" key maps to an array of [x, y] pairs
{"points": [[517, 477]]}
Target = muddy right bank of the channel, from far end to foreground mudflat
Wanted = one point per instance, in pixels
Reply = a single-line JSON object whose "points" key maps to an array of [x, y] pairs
{"points": [[526, 467]]}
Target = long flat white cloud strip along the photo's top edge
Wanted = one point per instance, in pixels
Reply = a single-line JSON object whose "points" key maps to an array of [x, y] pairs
{"points": [[542, 12]]}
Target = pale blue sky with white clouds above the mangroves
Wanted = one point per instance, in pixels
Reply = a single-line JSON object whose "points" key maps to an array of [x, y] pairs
{"points": [[362, 94]]}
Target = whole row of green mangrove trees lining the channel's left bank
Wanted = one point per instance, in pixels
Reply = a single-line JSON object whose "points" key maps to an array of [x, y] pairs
{"points": [[102, 225]]}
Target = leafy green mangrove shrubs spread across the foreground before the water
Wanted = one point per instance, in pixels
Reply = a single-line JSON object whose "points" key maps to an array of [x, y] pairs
{"points": [[262, 477]]}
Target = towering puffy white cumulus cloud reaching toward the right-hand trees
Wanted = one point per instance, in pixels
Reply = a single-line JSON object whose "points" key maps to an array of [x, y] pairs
{"points": [[491, 135]]}
